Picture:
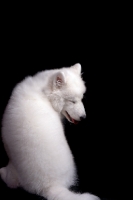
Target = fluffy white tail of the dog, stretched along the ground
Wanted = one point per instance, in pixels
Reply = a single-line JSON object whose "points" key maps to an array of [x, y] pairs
{"points": [[61, 193]]}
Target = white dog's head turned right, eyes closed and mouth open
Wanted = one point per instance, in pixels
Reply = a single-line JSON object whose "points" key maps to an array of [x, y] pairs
{"points": [[67, 92]]}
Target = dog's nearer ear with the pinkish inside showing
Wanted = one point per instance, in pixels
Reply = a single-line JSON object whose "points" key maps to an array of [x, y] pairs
{"points": [[59, 80]]}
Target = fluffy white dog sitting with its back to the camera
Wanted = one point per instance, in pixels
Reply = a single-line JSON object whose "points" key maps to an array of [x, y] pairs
{"points": [[40, 159]]}
